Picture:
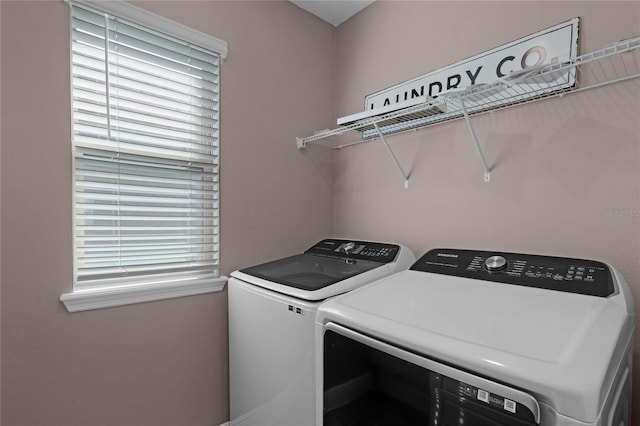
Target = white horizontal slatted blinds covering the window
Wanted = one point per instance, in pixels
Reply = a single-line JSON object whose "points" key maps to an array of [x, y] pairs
{"points": [[146, 154]]}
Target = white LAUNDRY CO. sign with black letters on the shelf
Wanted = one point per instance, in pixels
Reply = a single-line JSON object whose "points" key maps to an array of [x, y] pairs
{"points": [[555, 44]]}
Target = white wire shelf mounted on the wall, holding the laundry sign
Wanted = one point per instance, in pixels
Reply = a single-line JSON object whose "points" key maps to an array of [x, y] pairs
{"points": [[613, 64]]}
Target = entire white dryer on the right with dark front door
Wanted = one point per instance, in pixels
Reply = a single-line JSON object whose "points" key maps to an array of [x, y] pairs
{"points": [[479, 338]]}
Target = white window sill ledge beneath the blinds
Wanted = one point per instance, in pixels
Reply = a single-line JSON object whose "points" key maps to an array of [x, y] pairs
{"points": [[84, 300]]}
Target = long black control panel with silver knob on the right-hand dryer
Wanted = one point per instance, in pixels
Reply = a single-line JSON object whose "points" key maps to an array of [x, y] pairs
{"points": [[553, 273]]}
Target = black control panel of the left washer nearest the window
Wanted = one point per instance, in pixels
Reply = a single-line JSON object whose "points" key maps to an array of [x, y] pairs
{"points": [[359, 250]]}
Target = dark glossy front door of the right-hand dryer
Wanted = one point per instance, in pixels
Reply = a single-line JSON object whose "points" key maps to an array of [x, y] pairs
{"points": [[367, 381]]}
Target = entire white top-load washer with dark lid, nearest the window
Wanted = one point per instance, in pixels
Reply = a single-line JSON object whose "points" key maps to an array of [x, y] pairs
{"points": [[272, 310]]}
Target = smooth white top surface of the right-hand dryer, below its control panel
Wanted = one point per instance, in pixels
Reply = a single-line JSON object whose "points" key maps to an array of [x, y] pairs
{"points": [[562, 347]]}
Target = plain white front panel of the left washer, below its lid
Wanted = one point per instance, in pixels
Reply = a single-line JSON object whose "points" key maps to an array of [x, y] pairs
{"points": [[271, 358]]}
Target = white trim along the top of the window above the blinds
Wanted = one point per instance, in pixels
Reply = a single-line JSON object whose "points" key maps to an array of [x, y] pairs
{"points": [[160, 23]]}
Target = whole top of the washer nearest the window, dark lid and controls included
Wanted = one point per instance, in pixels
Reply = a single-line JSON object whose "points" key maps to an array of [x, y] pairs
{"points": [[330, 267]]}
